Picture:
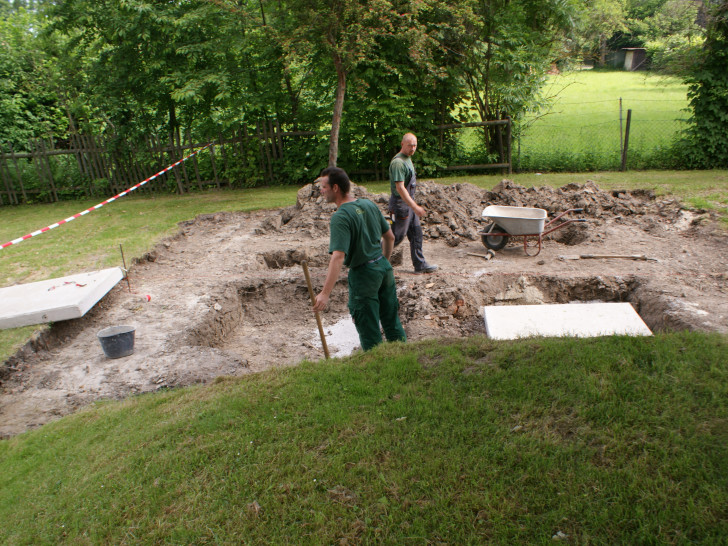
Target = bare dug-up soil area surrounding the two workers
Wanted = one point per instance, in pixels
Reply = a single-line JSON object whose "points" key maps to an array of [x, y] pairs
{"points": [[228, 294]]}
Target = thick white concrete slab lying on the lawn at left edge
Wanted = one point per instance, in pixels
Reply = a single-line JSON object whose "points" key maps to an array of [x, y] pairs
{"points": [[55, 299]]}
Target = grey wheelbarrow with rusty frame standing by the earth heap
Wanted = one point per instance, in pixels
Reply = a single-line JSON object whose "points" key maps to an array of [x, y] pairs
{"points": [[506, 222]]}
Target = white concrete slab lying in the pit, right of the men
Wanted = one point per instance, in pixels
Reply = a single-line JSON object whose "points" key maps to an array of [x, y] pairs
{"points": [[561, 320]]}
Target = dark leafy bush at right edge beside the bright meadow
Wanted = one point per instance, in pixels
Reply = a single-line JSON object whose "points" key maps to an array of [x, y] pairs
{"points": [[707, 138]]}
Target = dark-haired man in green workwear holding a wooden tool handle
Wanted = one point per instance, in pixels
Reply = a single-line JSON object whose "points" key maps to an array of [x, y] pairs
{"points": [[362, 240]]}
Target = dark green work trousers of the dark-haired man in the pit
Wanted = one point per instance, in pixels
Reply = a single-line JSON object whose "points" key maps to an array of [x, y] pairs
{"points": [[373, 299]]}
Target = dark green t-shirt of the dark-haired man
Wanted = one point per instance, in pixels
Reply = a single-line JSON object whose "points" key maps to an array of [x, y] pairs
{"points": [[356, 229]]}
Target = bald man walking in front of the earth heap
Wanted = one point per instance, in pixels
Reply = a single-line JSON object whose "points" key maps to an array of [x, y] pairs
{"points": [[406, 213]]}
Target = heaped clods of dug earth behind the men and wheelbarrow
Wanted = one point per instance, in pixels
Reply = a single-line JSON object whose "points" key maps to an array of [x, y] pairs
{"points": [[454, 211]]}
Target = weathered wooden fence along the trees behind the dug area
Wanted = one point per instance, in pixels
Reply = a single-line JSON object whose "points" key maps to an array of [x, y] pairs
{"points": [[91, 166]]}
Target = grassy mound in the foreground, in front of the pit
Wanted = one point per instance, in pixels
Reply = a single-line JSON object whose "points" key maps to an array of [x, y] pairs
{"points": [[609, 441]]}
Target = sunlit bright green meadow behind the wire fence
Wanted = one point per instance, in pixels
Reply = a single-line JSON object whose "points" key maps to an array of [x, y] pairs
{"points": [[581, 131]]}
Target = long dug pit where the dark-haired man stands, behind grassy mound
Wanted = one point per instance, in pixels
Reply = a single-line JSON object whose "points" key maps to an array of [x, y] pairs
{"points": [[271, 323]]}
